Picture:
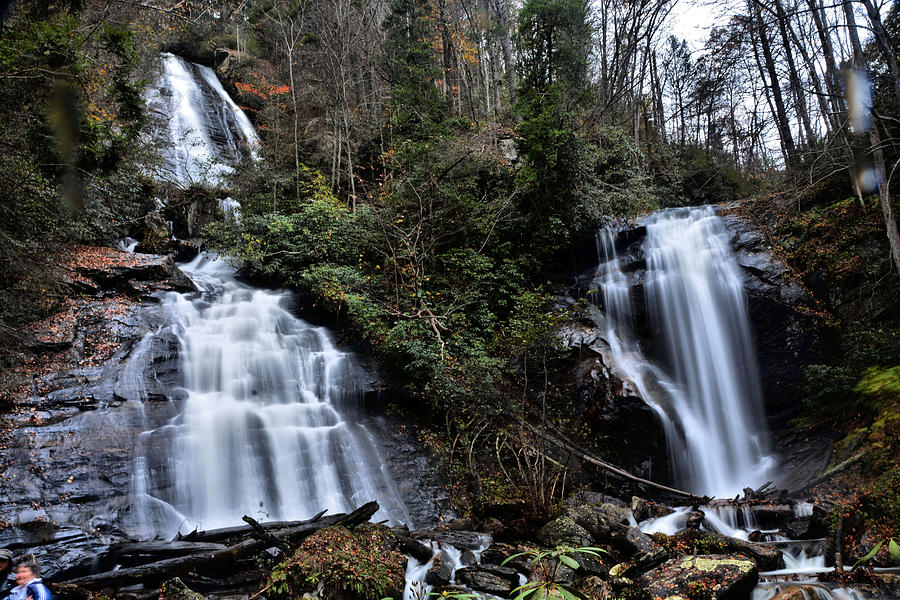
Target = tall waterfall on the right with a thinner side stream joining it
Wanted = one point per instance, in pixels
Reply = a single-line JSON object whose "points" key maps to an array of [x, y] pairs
{"points": [[705, 386]]}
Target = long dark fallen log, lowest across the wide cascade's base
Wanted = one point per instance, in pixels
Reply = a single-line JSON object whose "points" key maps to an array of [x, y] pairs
{"points": [[158, 571]]}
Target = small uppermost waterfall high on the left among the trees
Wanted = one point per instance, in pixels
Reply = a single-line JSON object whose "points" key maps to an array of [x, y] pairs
{"points": [[202, 132]]}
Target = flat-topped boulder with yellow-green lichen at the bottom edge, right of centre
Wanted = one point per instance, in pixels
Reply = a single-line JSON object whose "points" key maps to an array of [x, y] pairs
{"points": [[707, 576]]}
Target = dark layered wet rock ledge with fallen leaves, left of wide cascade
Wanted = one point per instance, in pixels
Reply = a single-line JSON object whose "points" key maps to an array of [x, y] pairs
{"points": [[70, 416]]}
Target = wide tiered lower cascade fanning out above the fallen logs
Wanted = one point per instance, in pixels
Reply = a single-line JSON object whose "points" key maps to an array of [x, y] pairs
{"points": [[269, 426]]}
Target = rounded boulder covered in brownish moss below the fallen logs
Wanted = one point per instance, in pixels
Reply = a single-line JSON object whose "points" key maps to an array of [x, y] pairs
{"points": [[342, 563]]}
